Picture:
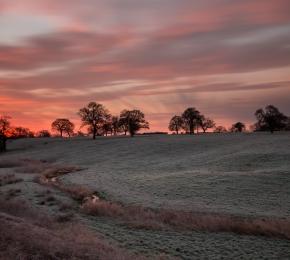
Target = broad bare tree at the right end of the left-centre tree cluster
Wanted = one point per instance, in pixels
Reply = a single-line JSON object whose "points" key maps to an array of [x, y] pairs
{"points": [[133, 120]]}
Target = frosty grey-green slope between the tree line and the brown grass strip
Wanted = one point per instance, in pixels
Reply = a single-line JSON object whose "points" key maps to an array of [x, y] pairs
{"points": [[236, 173]]}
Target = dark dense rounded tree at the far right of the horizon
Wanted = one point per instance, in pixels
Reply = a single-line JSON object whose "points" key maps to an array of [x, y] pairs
{"points": [[270, 119]]}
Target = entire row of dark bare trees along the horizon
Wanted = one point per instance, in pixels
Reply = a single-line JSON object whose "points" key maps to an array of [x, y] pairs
{"points": [[99, 122]]}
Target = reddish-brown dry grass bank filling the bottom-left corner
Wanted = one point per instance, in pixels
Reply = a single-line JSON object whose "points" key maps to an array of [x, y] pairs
{"points": [[26, 234]]}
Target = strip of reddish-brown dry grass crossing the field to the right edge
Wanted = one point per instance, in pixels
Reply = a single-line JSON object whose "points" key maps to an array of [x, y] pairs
{"points": [[145, 218]]}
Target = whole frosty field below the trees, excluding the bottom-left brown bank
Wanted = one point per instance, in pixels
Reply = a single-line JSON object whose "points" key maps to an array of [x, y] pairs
{"points": [[219, 177]]}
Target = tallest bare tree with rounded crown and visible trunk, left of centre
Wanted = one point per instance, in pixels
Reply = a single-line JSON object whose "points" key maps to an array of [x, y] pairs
{"points": [[93, 115]]}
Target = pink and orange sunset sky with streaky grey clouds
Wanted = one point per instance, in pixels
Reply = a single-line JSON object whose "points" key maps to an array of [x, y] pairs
{"points": [[226, 58]]}
